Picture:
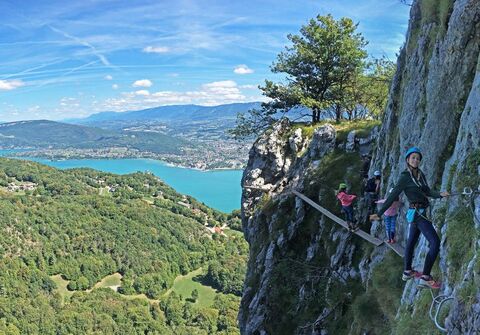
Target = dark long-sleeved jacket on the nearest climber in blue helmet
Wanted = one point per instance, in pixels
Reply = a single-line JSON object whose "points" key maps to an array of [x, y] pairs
{"points": [[416, 190]]}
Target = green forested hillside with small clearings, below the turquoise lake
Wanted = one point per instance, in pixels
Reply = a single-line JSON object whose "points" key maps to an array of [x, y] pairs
{"points": [[85, 225]]}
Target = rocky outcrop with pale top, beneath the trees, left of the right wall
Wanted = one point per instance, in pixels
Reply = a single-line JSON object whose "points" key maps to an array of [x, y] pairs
{"points": [[274, 223]]}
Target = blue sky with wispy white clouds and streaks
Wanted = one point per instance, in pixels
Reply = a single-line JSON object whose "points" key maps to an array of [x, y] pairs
{"points": [[66, 59]]}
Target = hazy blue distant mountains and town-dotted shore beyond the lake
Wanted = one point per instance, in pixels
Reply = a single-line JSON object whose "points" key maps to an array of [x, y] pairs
{"points": [[187, 135]]}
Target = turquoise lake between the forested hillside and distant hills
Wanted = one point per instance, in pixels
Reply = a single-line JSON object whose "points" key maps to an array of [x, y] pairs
{"points": [[218, 189]]}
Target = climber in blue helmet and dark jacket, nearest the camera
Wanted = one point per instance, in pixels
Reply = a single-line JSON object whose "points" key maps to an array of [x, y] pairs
{"points": [[412, 181]]}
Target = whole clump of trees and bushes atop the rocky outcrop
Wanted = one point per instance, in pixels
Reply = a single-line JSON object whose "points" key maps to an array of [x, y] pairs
{"points": [[327, 76]]}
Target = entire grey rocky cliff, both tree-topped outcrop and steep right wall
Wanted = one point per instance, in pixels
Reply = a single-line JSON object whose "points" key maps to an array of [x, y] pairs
{"points": [[307, 275]]}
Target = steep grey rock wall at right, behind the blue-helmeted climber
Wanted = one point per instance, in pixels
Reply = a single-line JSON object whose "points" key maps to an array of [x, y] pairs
{"points": [[434, 103]]}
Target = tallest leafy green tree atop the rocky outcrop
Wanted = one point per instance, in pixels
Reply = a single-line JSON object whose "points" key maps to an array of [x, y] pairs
{"points": [[320, 64]]}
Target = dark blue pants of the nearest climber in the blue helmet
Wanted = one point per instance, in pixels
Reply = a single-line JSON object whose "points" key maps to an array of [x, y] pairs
{"points": [[421, 225]]}
